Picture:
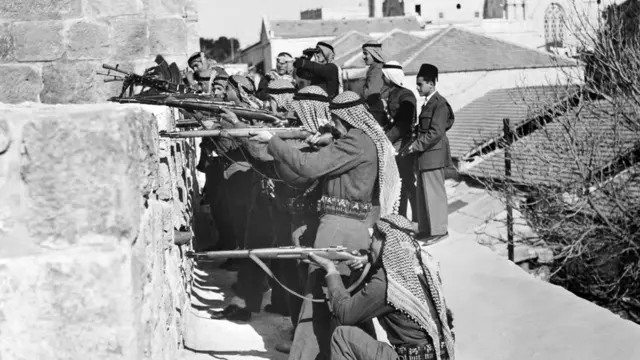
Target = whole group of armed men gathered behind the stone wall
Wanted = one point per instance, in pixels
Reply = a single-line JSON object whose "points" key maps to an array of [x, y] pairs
{"points": [[348, 184]]}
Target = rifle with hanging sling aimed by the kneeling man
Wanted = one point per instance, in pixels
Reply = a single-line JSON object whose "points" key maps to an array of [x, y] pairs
{"points": [[334, 253]]}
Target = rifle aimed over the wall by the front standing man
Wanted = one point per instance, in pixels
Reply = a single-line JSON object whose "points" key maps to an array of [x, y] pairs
{"points": [[283, 133]]}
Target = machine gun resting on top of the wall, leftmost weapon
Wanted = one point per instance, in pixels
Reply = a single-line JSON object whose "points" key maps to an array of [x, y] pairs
{"points": [[145, 80]]}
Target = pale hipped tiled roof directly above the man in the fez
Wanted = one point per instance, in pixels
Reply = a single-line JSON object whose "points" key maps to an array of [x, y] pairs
{"points": [[458, 50]]}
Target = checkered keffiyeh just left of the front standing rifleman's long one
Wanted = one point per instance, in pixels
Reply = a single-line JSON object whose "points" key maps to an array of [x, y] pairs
{"points": [[311, 104]]}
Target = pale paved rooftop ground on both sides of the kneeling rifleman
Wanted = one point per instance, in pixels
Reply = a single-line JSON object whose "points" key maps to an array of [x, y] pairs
{"points": [[501, 311]]}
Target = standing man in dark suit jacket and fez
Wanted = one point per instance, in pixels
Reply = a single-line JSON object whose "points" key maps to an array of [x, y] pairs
{"points": [[431, 147]]}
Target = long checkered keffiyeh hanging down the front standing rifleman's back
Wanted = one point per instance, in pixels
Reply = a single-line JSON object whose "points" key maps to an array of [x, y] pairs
{"points": [[349, 107]]}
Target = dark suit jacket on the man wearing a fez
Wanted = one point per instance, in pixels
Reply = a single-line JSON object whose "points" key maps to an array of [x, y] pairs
{"points": [[432, 144]]}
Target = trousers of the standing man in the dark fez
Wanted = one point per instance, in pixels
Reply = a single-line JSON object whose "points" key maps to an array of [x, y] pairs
{"points": [[432, 203]]}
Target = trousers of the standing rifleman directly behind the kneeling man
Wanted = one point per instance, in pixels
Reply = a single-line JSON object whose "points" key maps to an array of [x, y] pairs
{"points": [[316, 323]]}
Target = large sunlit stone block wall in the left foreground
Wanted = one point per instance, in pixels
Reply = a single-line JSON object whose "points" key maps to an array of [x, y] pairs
{"points": [[90, 203]]}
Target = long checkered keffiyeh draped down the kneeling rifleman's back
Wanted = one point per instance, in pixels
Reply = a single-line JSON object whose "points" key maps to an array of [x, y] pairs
{"points": [[404, 260]]}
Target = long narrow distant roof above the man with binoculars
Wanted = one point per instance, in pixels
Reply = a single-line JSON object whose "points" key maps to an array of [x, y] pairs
{"points": [[321, 28]]}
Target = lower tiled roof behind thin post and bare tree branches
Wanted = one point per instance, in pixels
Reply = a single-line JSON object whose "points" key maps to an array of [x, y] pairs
{"points": [[554, 155]]}
